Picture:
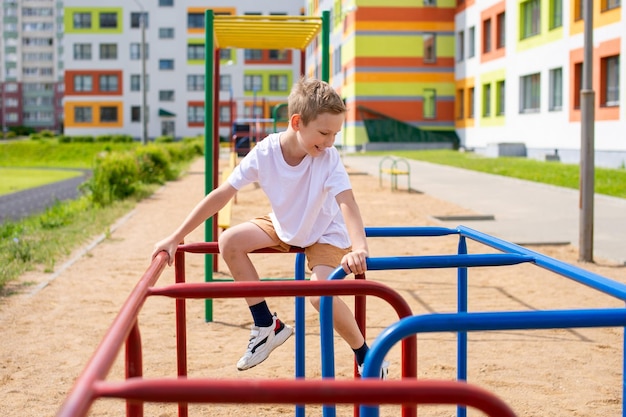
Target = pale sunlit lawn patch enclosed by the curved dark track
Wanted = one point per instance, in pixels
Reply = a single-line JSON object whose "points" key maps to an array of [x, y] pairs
{"points": [[18, 179]]}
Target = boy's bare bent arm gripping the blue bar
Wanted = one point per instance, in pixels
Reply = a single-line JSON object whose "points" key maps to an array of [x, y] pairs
{"points": [[354, 261]]}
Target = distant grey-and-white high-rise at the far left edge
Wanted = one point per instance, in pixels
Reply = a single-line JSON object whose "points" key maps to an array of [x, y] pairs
{"points": [[32, 78]]}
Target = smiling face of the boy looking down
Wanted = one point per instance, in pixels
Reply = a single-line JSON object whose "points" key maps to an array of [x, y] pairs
{"points": [[320, 133]]}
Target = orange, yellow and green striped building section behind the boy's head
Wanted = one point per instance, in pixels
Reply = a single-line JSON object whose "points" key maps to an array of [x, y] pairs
{"points": [[393, 62]]}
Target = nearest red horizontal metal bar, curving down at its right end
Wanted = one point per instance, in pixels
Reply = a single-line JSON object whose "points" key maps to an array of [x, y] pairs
{"points": [[327, 391]]}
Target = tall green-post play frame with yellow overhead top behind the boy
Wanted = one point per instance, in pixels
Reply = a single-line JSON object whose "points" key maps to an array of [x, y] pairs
{"points": [[253, 32]]}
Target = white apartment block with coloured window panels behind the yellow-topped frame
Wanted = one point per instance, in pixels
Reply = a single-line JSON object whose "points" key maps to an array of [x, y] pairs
{"points": [[104, 67]]}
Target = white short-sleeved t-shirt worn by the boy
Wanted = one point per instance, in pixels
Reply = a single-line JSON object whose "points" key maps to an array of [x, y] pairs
{"points": [[304, 209]]}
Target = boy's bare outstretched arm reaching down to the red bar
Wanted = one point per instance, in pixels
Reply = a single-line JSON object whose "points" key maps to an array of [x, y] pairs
{"points": [[206, 208]]}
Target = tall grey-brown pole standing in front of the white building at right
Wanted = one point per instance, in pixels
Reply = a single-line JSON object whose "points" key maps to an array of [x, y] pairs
{"points": [[587, 103]]}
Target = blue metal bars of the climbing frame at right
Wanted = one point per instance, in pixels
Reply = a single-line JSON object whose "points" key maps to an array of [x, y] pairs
{"points": [[512, 254]]}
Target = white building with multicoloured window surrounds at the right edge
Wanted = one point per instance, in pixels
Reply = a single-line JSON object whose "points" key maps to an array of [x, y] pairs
{"points": [[519, 74]]}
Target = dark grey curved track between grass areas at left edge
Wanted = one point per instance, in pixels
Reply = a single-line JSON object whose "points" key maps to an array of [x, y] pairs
{"points": [[16, 206]]}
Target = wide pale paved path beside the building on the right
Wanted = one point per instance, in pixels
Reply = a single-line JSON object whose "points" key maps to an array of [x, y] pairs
{"points": [[523, 212]]}
